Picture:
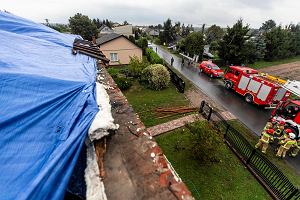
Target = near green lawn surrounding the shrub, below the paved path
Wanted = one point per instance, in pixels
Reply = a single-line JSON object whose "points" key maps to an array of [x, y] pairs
{"points": [[228, 179]]}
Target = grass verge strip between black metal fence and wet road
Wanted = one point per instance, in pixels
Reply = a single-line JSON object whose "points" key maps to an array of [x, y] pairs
{"points": [[280, 163]]}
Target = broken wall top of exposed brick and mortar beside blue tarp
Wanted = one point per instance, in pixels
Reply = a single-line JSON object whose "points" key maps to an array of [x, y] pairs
{"points": [[135, 166]]}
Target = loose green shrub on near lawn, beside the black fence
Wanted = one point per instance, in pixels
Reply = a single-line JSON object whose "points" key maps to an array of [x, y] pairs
{"points": [[206, 142]]}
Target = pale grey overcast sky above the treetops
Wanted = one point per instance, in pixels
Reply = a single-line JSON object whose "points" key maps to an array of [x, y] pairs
{"points": [[140, 12]]}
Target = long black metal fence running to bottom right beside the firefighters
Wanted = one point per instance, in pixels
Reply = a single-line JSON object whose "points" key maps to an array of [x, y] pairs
{"points": [[276, 183]]}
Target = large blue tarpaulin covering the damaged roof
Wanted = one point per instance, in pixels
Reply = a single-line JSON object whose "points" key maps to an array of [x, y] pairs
{"points": [[47, 103]]}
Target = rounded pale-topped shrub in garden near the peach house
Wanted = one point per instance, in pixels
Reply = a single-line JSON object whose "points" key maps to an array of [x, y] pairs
{"points": [[156, 76]]}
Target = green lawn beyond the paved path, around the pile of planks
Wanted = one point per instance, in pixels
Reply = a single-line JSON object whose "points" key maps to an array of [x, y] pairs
{"points": [[144, 101]]}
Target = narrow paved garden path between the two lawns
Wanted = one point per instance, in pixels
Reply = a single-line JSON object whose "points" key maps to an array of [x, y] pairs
{"points": [[171, 125]]}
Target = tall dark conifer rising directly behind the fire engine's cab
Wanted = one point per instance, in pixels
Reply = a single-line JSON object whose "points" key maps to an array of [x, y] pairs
{"points": [[233, 47]]}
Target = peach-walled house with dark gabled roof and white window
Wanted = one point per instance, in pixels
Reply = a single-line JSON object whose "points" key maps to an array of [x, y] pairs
{"points": [[118, 48]]}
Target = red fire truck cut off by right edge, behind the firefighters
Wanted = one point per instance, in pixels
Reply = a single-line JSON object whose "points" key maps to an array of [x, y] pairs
{"points": [[289, 110]]}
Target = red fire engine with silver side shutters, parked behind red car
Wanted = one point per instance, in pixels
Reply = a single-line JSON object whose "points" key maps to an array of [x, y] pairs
{"points": [[261, 89]]}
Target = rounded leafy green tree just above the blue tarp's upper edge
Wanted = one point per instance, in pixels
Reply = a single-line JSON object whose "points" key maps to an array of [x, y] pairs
{"points": [[82, 25]]}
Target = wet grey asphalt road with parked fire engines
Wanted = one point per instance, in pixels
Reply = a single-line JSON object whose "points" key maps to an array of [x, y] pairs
{"points": [[252, 116]]}
